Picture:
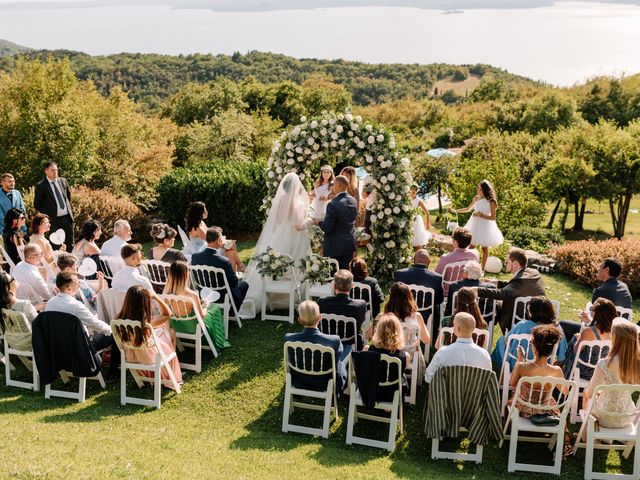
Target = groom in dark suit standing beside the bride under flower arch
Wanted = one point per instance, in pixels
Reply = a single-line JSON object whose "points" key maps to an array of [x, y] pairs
{"points": [[339, 224]]}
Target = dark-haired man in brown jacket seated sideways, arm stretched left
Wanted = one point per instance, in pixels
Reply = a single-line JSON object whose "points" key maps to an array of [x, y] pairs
{"points": [[526, 282]]}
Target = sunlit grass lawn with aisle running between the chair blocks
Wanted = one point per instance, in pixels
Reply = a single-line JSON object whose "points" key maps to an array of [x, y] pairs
{"points": [[227, 424]]}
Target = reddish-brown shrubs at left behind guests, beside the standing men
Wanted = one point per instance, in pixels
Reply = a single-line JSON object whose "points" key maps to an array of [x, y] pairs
{"points": [[101, 205]]}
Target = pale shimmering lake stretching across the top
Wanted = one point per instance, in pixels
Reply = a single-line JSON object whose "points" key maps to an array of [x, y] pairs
{"points": [[561, 44]]}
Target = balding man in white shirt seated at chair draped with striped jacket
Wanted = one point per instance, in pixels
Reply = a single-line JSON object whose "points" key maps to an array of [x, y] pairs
{"points": [[463, 351]]}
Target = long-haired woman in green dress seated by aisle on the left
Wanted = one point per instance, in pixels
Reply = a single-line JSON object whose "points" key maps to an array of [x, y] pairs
{"points": [[177, 284]]}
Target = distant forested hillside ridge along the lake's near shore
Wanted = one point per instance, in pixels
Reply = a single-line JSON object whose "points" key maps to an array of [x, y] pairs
{"points": [[151, 78]]}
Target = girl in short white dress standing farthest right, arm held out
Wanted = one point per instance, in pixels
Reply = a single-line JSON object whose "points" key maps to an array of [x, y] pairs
{"points": [[482, 224]]}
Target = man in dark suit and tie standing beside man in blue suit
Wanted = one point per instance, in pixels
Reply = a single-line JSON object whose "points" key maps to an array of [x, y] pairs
{"points": [[53, 198]]}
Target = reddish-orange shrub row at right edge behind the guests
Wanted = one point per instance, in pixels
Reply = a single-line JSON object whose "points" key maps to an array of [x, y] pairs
{"points": [[581, 260]]}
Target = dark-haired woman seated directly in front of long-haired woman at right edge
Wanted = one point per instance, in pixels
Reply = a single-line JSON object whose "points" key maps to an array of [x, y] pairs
{"points": [[603, 312]]}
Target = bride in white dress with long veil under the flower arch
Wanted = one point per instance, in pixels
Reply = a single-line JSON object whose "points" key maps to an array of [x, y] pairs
{"points": [[285, 230]]}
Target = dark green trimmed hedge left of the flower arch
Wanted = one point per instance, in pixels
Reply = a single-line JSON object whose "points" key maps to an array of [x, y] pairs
{"points": [[232, 191]]}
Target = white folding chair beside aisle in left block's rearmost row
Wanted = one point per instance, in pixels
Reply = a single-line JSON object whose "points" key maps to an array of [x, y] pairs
{"points": [[133, 329]]}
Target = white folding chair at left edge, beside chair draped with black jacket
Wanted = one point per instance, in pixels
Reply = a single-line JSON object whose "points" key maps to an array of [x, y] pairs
{"points": [[16, 337]]}
